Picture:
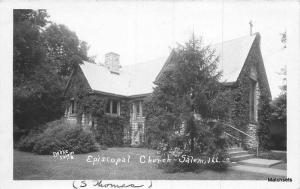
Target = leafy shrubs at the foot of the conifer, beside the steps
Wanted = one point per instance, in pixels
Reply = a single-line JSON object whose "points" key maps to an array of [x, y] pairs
{"points": [[210, 142]]}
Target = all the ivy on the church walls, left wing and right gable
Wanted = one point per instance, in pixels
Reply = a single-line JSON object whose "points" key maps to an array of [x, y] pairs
{"points": [[233, 104]]}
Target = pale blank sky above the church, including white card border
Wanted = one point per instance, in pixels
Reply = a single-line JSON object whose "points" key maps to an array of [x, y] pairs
{"points": [[141, 31]]}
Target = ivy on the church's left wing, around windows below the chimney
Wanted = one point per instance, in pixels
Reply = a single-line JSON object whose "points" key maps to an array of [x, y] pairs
{"points": [[108, 129]]}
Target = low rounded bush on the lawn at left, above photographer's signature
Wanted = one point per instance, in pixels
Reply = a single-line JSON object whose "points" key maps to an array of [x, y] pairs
{"points": [[60, 137]]}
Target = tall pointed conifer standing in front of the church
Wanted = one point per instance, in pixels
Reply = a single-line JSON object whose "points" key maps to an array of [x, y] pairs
{"points": [[184, 91]]}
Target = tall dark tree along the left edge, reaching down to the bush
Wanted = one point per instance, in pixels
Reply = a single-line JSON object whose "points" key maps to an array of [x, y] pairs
{"points": [[28, 65]]}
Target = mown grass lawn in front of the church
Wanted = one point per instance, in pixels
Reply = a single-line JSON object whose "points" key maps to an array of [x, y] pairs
{"points": [[29, 166]]}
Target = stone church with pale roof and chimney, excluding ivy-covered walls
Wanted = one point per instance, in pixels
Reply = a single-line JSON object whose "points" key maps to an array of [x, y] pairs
{"points": [[127, 86]]}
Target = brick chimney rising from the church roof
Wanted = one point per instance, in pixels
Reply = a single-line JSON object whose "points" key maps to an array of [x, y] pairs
{"points": [[112, 62]]}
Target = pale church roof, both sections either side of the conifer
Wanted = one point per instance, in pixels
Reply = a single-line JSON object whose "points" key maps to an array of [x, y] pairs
{"points": [[138, 79]]}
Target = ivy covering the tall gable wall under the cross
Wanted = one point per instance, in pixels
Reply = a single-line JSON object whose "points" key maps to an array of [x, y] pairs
{"points": [[239, 96]]}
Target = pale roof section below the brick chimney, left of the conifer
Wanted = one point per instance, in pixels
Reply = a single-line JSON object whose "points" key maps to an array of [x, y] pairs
{"points": [[132, 80]]}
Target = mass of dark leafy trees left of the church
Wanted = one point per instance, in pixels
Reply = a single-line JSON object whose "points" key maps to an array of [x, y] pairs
{"points": [[44, 56]]}
